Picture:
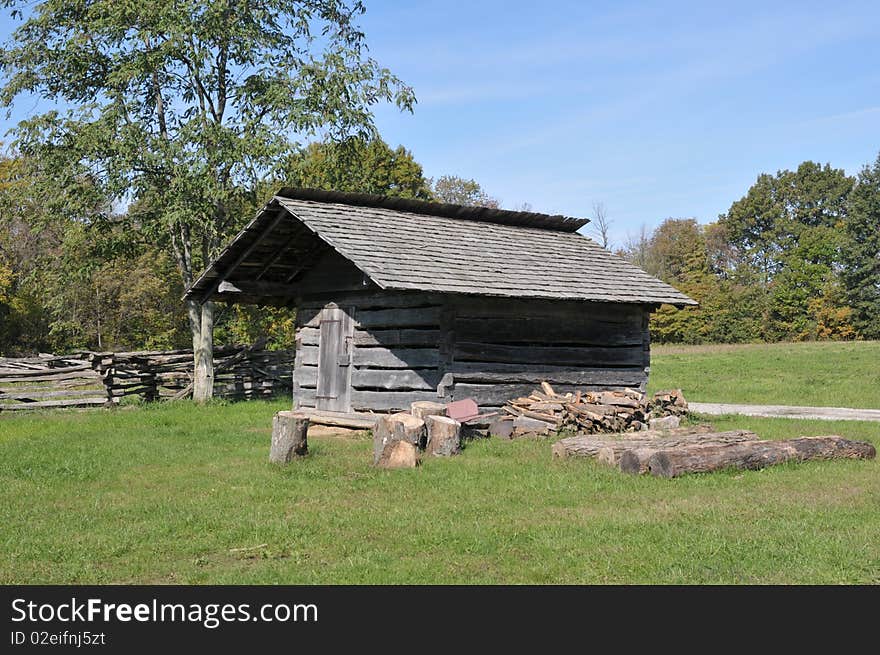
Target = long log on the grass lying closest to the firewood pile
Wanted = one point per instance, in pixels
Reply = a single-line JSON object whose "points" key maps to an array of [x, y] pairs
{"points": [[590, 445]]}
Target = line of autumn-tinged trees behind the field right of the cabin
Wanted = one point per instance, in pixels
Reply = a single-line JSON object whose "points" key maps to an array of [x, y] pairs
{"points": [[796, 258]]}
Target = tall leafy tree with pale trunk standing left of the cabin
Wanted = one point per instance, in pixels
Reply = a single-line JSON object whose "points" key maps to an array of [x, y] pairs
{"points": [[187, 106]]}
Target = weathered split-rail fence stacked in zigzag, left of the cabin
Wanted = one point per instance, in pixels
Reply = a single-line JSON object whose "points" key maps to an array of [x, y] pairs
{"points": [[91, 378]]}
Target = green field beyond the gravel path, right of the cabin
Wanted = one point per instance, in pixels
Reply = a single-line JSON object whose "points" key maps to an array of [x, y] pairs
{"points": [[826, 374]]}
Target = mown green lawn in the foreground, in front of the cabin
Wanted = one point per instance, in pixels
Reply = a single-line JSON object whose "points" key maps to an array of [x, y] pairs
{"points": [[161, 494]]}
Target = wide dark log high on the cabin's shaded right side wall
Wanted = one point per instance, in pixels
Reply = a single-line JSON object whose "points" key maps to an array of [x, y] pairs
{"points": [[574, 330]]}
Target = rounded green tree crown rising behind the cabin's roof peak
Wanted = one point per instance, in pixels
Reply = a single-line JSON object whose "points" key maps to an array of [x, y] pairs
{"points": [[359, 166]]}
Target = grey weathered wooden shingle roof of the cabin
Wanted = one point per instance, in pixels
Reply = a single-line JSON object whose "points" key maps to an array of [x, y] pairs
{"points": [[414, 245]]}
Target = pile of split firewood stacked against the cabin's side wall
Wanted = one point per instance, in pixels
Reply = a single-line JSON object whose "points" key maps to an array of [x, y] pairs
{"points": [[592, 411]]}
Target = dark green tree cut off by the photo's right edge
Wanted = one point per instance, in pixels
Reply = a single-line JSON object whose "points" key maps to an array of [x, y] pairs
{"points": [[861, 252]]}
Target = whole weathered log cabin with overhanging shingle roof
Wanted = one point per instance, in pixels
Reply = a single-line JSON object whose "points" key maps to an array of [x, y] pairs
{"points": [[403, 300]]}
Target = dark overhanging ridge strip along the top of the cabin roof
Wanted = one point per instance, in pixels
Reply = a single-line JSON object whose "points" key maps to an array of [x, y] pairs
{"points": [[552, 222]]}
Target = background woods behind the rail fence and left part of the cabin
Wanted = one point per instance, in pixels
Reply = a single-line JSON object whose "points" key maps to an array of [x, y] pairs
{"points": [[101, 281]]}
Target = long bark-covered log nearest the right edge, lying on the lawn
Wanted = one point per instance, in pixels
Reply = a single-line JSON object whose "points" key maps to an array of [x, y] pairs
{"points": [[670, 463]]}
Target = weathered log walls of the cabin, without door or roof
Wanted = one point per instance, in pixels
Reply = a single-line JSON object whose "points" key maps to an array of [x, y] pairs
{"points": [[413, 346]]}
